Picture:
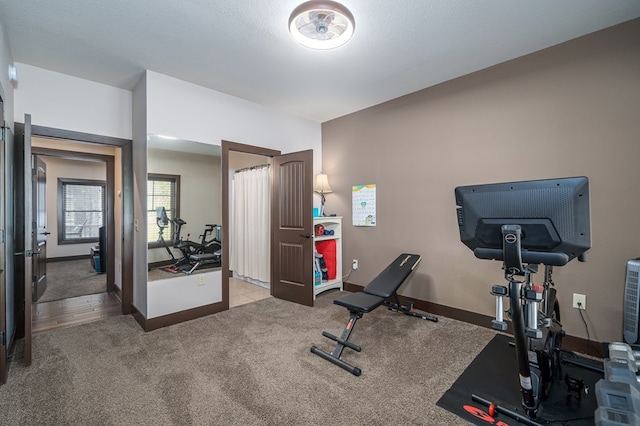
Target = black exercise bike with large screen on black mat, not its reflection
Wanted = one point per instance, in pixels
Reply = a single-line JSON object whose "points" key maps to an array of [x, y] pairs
{"points": [[527, 224]]}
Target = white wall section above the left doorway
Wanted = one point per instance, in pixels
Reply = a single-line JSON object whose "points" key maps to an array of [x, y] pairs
{"points": [[70, 103]]}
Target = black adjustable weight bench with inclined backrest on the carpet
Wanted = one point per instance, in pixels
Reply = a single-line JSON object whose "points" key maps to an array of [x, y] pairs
{"points": [[381, 291]]}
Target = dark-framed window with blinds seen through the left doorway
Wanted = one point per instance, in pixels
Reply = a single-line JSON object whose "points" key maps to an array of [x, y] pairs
{"points": [[81, 210]]}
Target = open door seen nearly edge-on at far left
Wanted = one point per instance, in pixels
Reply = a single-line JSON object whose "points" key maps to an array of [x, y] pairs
{"points": [[23, 229]]}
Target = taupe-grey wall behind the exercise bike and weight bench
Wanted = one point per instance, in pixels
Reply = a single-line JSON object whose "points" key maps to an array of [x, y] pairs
{"points": [[573, 109]]}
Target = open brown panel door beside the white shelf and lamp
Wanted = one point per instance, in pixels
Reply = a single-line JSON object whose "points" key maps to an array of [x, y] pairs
{"points": [[292, 216]]}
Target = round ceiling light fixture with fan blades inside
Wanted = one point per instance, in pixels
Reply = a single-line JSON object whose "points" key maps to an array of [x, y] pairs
{"points": [[321, 24]]}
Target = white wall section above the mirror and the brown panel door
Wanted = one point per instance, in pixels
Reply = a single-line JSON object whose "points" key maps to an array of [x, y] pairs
{"points": [[185, 110]]}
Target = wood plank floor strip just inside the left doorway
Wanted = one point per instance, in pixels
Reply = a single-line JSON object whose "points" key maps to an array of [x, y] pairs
{"points": [[74, 311]]}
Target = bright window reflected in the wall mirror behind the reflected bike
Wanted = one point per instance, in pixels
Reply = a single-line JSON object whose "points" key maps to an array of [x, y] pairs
{"points": [[162, 191]]}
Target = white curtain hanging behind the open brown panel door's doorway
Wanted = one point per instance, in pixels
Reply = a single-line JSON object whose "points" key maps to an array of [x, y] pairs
{"points": [[251, 225]]}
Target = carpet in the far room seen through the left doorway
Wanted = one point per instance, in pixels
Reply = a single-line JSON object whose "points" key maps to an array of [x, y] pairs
{"points": [[72, 278]]}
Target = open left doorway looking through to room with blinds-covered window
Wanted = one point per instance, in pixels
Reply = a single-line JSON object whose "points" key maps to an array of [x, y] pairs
{"points": [[74, 187]]}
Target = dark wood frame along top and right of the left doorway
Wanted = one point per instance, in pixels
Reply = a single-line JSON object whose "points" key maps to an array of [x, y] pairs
{"points": [[126, 146]]}
